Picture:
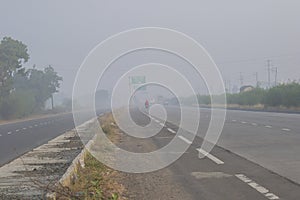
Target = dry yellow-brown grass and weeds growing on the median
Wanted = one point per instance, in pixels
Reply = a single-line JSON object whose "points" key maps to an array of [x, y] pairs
{"points": [[96, 181]]}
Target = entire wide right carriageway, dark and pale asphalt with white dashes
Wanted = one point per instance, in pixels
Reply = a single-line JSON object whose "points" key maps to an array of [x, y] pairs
{"points": [[252, 147]]}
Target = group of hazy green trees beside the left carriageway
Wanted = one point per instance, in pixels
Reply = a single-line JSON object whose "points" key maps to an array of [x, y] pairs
{"points": [[23, 91]]}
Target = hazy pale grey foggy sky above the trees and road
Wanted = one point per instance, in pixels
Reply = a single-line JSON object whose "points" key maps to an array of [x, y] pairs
{"points": [[239, 35]]}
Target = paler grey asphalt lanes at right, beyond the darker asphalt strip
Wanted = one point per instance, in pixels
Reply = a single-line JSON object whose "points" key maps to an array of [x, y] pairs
{"points": [[269, 139]]}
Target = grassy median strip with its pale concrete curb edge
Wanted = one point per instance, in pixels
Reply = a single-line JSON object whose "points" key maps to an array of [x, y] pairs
{"points": [[88, 178]]}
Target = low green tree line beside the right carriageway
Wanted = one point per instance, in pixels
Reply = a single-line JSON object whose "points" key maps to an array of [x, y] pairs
{"points": [[283, 95]]}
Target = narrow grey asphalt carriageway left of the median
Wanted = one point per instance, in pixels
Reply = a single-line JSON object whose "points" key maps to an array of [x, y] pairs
{"points": [[20, 137]]}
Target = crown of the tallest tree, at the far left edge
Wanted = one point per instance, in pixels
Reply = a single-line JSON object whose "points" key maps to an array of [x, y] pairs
{"points": [[13, 54]]}
